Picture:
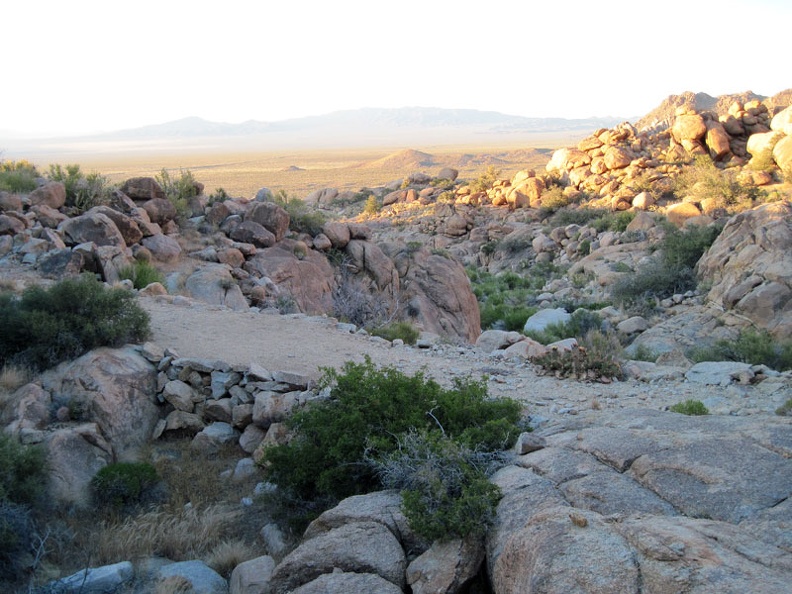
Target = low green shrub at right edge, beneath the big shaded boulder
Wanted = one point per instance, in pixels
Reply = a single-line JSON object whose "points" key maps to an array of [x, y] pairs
{"points": [[757, 347]]}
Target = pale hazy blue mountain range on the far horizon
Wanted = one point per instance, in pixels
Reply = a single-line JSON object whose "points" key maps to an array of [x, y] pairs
{"points": [[369, 127]]}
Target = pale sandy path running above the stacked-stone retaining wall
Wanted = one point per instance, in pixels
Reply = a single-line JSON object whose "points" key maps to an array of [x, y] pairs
{"points": [[305, 344]]}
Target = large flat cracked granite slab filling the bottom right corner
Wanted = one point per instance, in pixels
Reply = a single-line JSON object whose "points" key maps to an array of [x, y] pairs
{"points": [[648, 501]]}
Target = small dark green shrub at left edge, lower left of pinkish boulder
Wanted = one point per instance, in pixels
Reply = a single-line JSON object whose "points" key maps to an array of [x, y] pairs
{"points": [[23, 471]]}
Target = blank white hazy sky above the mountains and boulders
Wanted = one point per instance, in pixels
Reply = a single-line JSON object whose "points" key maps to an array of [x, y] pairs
{"points": [[89, 66]]}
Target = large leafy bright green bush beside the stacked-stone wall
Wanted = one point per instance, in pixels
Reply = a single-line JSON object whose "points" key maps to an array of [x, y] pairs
{"points": [[368, 412]]}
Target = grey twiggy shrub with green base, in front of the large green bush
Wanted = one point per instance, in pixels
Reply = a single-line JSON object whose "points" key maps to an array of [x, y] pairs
{"points": [[444, 485]]}
